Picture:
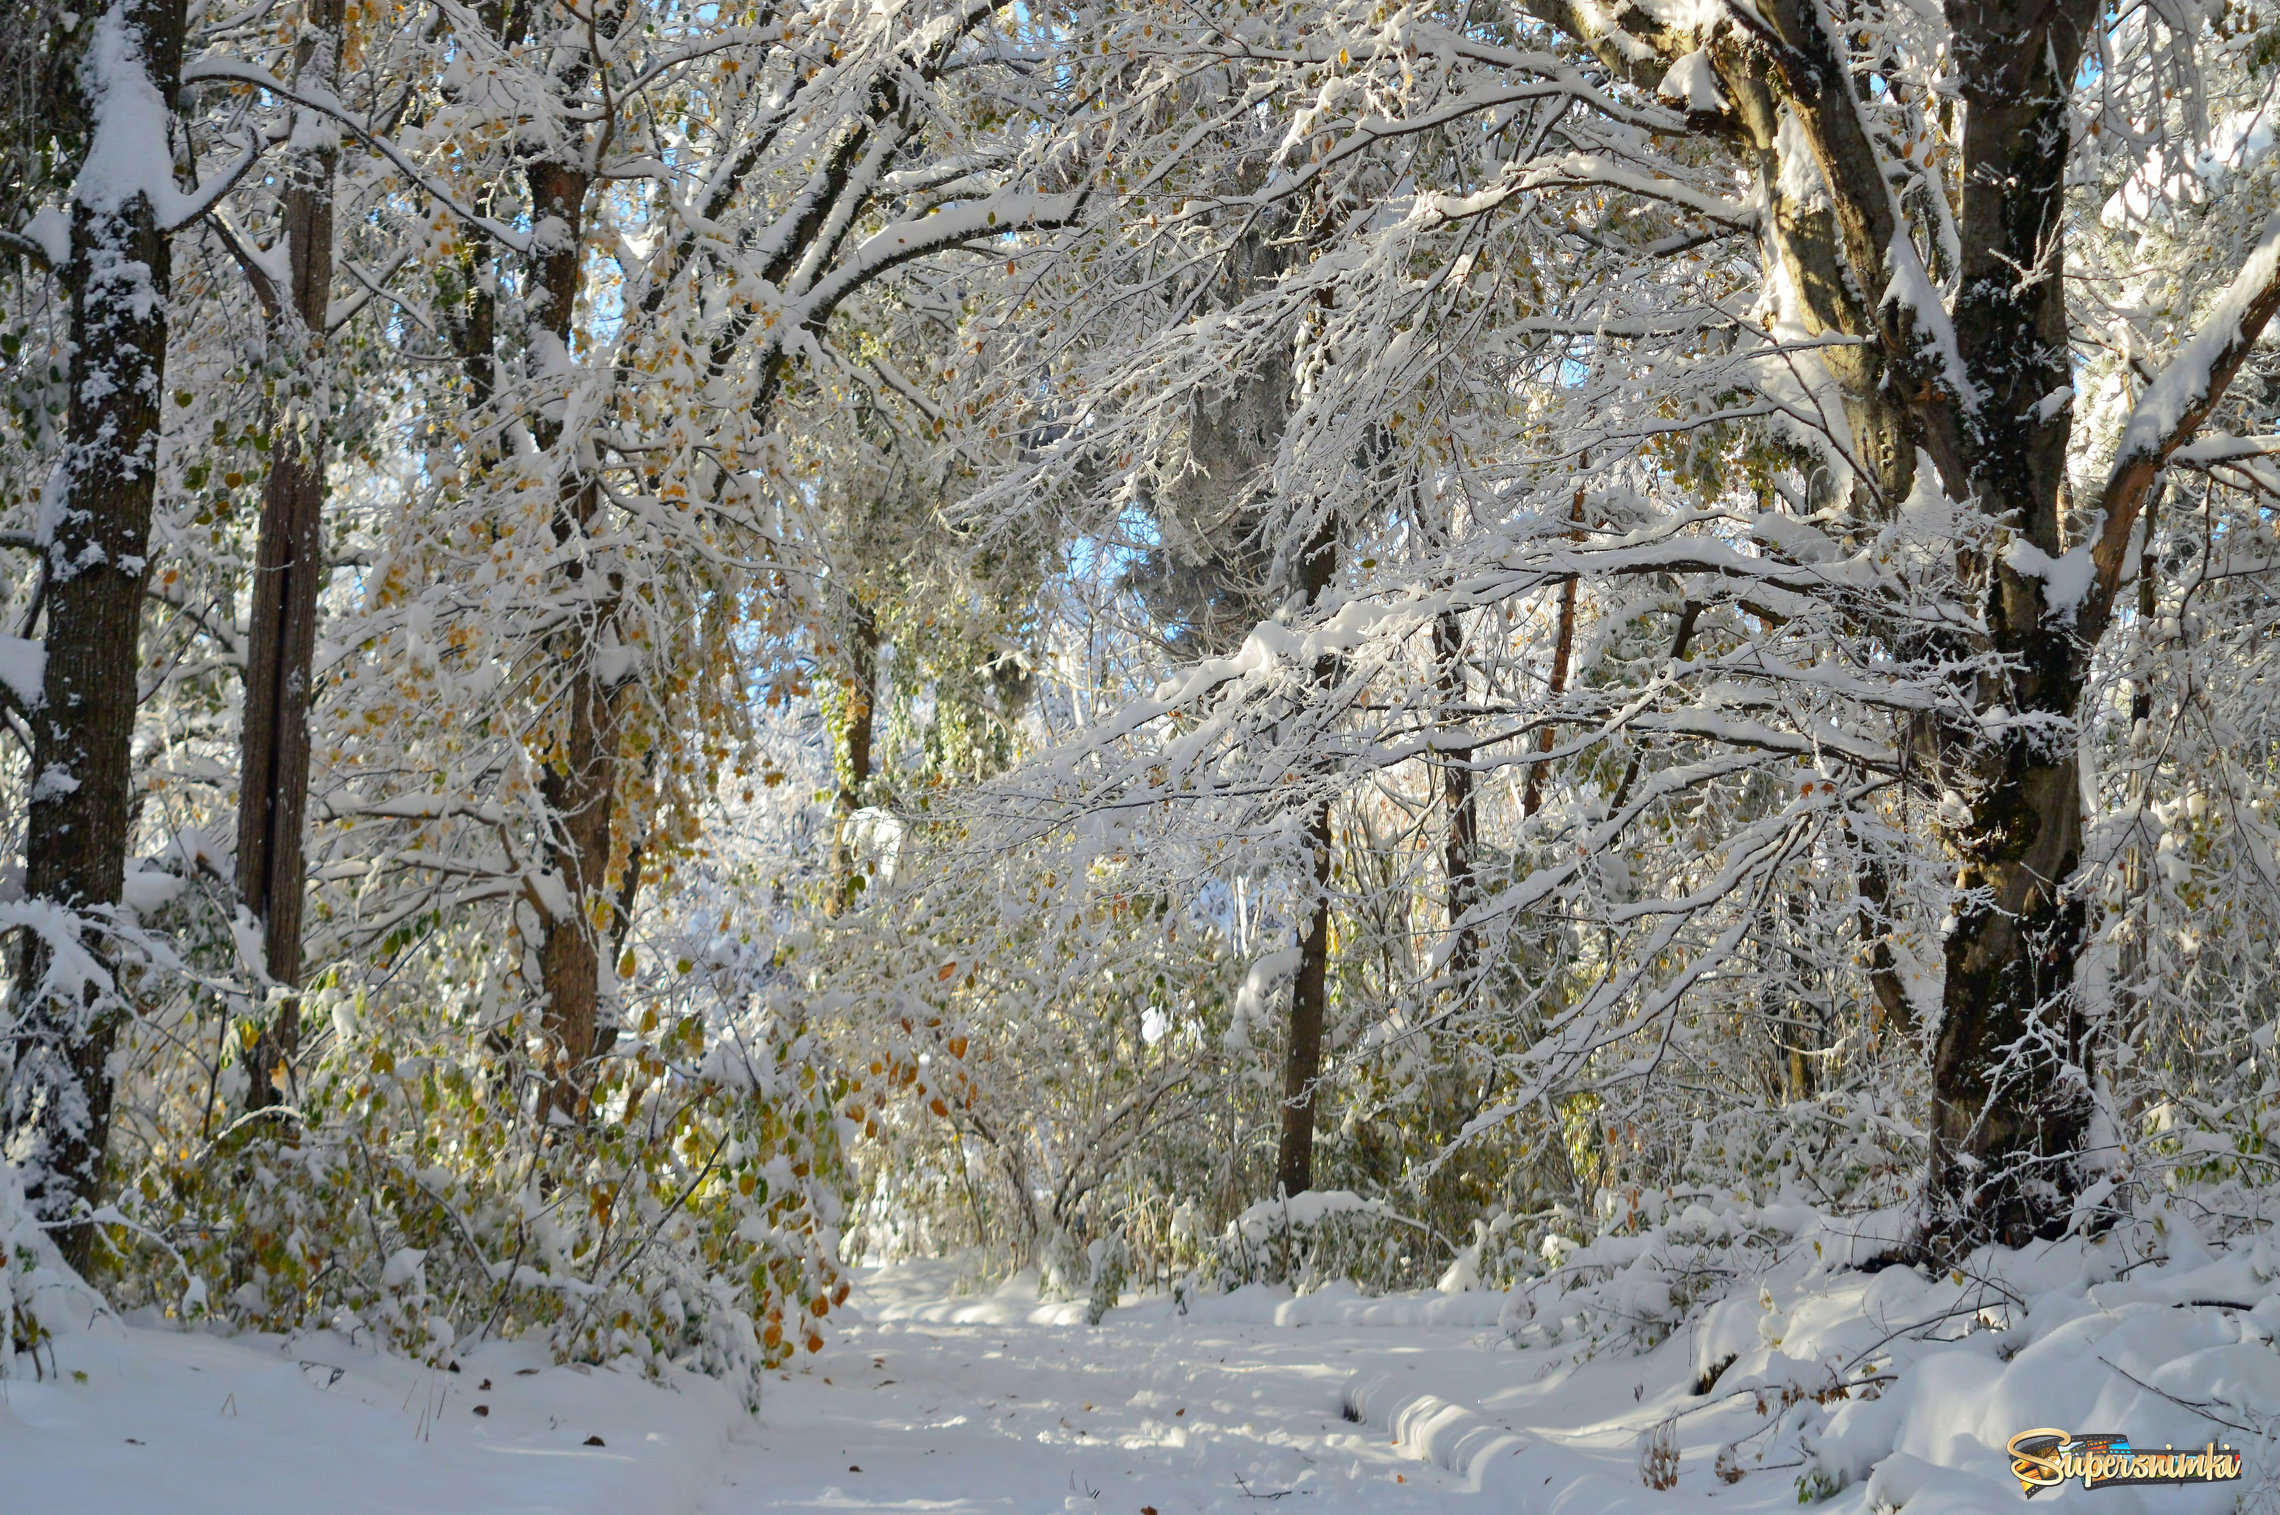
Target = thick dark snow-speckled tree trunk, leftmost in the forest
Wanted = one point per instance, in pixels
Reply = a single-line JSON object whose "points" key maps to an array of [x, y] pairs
{"points": [[95, 572]]}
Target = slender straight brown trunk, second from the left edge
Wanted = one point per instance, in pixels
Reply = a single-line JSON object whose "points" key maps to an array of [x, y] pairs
{"points": [[272, 770]]}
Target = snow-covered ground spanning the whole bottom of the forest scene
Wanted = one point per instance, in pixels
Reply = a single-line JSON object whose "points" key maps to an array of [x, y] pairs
{"points": [[1330, 1404]]}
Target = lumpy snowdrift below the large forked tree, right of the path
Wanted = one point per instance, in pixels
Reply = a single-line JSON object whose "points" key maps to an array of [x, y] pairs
{"points": [[1802, 1379]]}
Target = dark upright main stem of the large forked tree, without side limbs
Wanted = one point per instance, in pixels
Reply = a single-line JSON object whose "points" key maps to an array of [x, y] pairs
{"points": [[2010, 1074]]}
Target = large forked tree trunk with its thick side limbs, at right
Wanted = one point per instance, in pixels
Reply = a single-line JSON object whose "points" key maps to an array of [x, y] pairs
{"points": [[2010, 1105]]}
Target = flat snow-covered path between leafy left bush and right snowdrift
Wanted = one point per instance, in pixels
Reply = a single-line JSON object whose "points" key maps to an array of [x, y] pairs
{"points": [[1009, 1407]]}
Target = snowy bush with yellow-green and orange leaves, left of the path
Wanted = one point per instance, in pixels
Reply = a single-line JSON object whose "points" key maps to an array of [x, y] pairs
{"points": [[692, 1220]]}
